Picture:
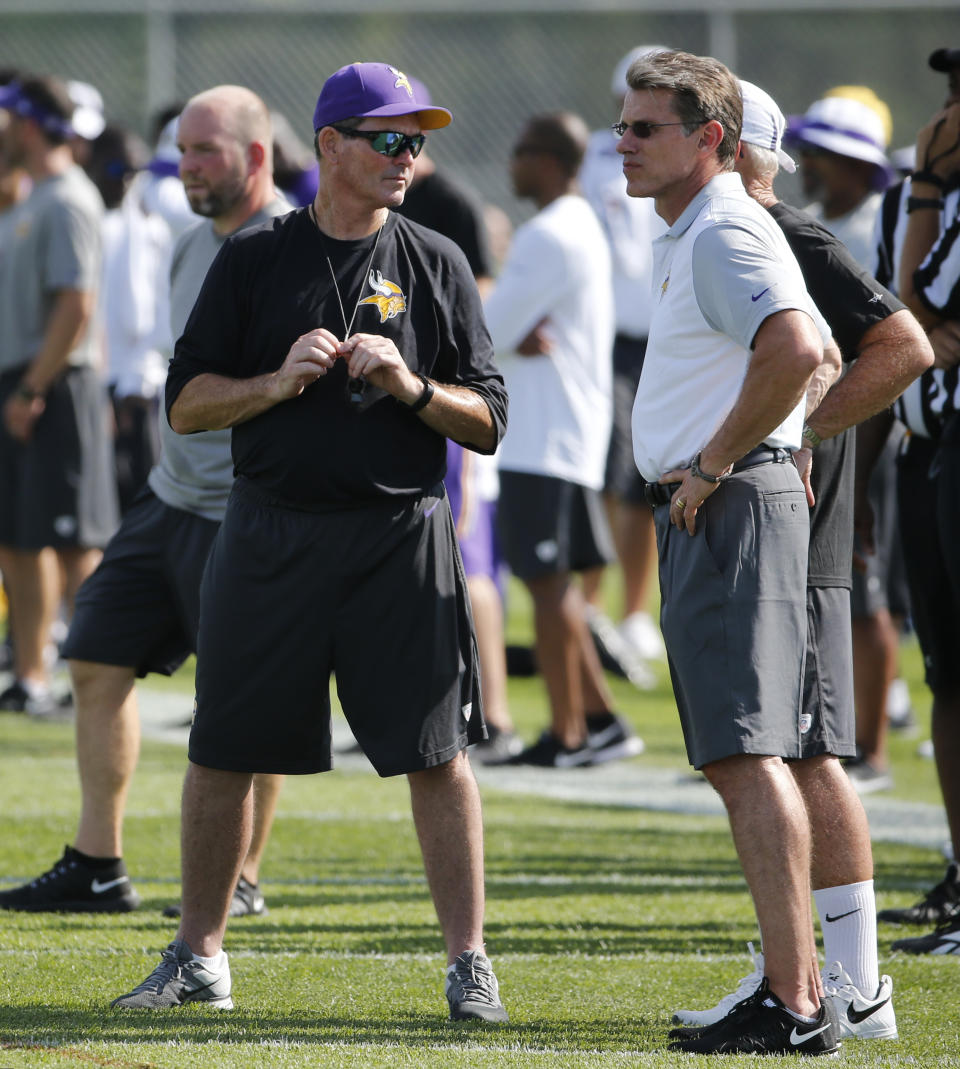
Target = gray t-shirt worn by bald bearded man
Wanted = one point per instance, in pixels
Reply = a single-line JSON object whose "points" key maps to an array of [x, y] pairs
{"points": [[195, 472]]}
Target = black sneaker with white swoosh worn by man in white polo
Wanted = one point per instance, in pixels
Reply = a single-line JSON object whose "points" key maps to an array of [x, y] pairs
{"points": [[763, 1025]]}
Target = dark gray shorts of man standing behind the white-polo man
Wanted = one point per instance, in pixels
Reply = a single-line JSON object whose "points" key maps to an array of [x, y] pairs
{"points": [[828, 724]]}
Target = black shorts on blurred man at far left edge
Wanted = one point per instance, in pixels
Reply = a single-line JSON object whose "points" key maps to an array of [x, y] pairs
{"points": [[59, 489]]}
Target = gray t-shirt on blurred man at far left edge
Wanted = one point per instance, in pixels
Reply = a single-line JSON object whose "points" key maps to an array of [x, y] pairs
{"points": [[49, 243]]}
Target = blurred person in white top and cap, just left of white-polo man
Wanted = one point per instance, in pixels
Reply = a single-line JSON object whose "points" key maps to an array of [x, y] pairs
{"points": [[630, 225]]}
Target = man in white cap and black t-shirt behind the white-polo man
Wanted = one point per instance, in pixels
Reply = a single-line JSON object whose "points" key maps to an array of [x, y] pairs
{"points": [[885, 349]]}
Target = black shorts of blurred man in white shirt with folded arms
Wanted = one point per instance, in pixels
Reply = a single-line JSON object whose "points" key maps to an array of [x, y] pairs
{"points": [[550, 526]]}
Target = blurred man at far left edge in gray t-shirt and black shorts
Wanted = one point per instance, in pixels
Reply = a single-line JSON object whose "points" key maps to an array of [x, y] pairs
{"points": [[57, 487]]}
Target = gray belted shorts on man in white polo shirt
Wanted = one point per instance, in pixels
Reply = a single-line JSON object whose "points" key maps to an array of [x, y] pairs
{"points": [[734, 615]]}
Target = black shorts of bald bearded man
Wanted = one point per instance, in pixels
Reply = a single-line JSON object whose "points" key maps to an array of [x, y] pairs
{"points": [[142, 608]]}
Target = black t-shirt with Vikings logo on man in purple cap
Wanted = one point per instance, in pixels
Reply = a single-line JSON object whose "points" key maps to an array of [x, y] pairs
{"points": [[271, 285]]}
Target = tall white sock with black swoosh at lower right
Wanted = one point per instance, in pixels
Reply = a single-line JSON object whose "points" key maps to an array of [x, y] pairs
{"points": [[848, 919]]}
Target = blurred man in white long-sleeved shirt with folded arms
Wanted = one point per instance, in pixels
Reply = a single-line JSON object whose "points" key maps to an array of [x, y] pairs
{"points": [[551, 317]]}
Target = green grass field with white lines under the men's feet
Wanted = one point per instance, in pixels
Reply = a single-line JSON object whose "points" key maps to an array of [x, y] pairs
{"points": [[601, 921]]}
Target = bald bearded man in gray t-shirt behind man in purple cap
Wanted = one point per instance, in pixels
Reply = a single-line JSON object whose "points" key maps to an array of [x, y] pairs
{"points": [[140, 612]]}
